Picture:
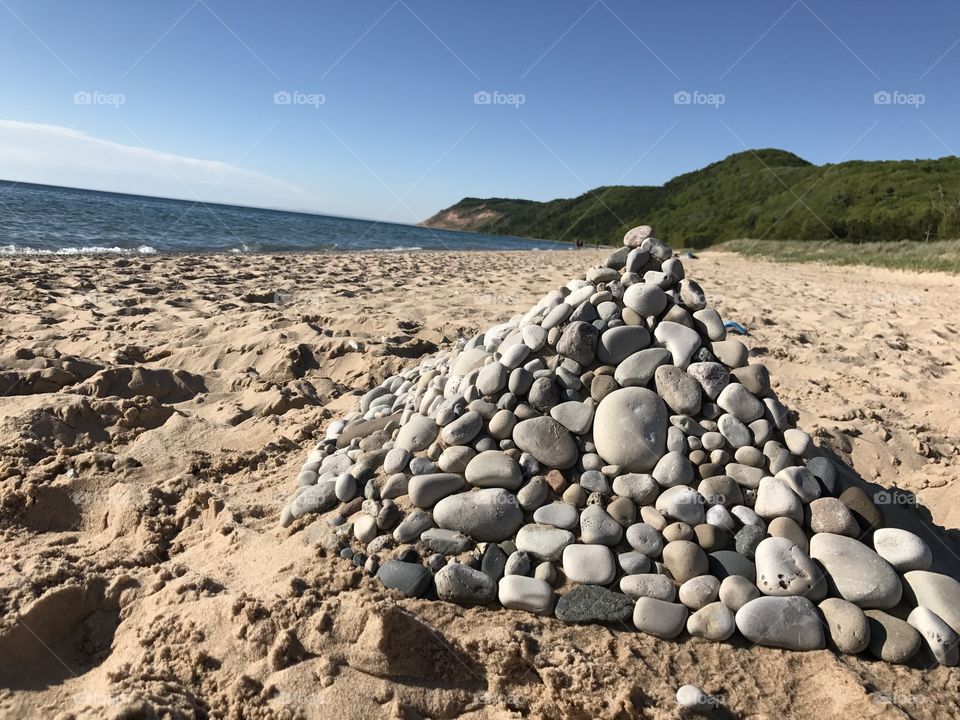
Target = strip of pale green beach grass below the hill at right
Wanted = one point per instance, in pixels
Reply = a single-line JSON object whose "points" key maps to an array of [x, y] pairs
{"points": [[935, 256]]}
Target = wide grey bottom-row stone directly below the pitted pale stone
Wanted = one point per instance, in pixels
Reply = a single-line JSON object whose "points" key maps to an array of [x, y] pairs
{"points": [[792, 623]]}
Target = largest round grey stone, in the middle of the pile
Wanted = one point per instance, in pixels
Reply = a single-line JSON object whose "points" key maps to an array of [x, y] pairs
{"points": [[629, 429]]}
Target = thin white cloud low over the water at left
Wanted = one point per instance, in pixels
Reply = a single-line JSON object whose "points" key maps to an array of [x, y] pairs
{"points": [[55, 155]]}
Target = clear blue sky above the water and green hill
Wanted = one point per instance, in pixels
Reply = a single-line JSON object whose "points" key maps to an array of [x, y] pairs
{"points": [[394, 109]]}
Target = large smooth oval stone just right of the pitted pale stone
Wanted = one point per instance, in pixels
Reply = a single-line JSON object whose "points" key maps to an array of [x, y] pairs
{"points": [[855, 572]]}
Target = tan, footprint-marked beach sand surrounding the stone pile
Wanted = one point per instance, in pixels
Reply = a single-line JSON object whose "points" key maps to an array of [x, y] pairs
{"points": [[154, 411]]}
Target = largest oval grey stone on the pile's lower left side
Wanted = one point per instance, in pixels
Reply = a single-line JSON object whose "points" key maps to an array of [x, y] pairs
{"points": [[486, 515]]}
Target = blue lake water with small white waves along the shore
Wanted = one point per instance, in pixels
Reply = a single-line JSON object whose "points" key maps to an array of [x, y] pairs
{"points": [[41, 219]]}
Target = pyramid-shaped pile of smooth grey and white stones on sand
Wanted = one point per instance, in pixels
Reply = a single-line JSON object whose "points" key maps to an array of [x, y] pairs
{"points": [[611, 456]]}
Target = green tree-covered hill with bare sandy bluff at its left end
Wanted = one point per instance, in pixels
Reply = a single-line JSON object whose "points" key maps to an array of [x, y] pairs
{"points": [[770, 194]]}
